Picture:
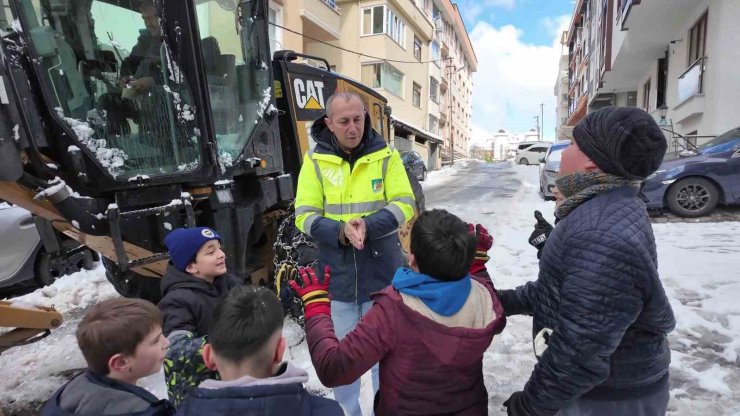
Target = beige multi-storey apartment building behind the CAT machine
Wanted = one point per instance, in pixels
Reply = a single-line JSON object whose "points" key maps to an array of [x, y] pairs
{"points": [[416, 53]]}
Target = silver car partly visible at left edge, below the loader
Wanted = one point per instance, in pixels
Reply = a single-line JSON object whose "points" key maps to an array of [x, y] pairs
{"points": [[23, 256]]}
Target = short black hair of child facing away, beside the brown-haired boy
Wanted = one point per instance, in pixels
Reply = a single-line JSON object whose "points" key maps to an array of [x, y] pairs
{"points": [[244, 321]]}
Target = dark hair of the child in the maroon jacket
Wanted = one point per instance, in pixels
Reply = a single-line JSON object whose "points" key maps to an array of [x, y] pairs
{"points": [[442, 245]]}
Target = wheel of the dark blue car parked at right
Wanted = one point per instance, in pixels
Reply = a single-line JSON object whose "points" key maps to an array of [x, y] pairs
{"points": [[692, 197]]}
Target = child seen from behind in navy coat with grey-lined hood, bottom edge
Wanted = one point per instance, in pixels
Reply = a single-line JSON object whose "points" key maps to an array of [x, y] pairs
{"points": [[246, 347]]}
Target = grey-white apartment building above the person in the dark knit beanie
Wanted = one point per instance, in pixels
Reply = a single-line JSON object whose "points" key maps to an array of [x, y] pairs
{"points": [[676, 59]]}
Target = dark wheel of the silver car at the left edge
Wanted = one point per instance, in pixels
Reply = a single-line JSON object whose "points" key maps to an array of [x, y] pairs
{"points": [[52, 266]]}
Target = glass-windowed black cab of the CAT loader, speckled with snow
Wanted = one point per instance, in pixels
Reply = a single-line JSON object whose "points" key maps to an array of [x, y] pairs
{"points": [[161, 92]]}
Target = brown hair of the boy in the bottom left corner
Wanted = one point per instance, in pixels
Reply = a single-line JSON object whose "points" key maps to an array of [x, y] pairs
{"points": [[115, 326]]}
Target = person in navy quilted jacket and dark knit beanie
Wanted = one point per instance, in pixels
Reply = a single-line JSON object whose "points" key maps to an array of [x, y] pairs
{"points": [[601, 315]]}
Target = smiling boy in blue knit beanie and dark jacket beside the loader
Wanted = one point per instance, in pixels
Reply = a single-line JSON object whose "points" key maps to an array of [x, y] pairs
{"points": [[195, 281]]}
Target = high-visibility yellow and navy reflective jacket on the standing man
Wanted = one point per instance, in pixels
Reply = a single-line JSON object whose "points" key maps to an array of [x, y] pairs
{"points": [[334, 187]]}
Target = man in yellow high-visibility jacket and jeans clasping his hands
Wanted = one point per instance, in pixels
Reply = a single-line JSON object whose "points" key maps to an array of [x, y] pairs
{"points": [[353, 194]]}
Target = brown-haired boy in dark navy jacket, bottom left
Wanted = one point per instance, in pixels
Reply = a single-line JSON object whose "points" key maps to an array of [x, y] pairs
{"points": [[121, 340]]}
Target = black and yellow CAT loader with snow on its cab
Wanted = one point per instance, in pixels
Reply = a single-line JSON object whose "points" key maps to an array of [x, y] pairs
{"points": [[121, 120]]}
